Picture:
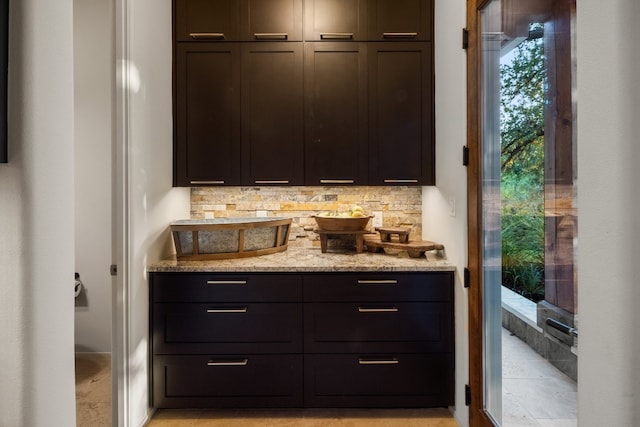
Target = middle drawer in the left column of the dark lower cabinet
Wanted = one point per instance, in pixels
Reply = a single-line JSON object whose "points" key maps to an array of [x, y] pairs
{"points": [[227, 328]]}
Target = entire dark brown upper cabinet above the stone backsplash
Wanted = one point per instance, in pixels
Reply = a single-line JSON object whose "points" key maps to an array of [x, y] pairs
{"points": [[256, 105]]}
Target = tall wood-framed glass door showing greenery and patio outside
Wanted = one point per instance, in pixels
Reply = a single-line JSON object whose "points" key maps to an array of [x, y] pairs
{"points": [[523, 235]]}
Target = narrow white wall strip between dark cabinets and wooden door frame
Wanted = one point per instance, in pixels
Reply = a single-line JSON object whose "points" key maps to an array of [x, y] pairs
{"points": [[451, 176]]}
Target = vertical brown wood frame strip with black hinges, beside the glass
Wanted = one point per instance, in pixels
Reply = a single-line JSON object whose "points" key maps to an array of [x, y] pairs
{"points": [[477, 415]]}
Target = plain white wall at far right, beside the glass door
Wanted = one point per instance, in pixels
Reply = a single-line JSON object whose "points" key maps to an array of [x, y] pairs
{"points": [[609, 206]]}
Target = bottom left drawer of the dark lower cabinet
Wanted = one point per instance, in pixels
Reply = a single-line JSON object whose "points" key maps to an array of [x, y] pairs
{"points": [[227, 381]]}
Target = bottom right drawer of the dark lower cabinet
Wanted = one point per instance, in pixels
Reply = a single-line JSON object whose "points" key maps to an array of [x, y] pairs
{"points": [[405, 380]]}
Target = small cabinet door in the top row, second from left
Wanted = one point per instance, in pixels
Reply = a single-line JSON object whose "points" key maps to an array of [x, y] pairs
{"points": [[271, 20]]}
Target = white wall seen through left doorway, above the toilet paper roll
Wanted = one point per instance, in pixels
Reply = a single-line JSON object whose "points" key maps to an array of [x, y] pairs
{"points": [[93, 87]]}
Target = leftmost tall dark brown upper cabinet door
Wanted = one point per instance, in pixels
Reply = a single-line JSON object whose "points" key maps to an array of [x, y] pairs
{"points": [[207, 114]]}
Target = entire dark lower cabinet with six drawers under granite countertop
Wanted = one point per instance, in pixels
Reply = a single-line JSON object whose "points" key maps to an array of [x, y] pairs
{"points": [[302, 340]]}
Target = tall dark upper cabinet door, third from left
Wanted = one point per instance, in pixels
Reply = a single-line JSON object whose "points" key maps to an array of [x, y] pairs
{"points": [[336, 143]]}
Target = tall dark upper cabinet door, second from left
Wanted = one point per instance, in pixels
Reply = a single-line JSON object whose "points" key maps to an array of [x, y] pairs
{"points": [[272, 130]]}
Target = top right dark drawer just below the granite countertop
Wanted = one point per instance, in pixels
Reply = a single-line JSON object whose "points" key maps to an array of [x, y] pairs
{"points": [[363, 287]]}
